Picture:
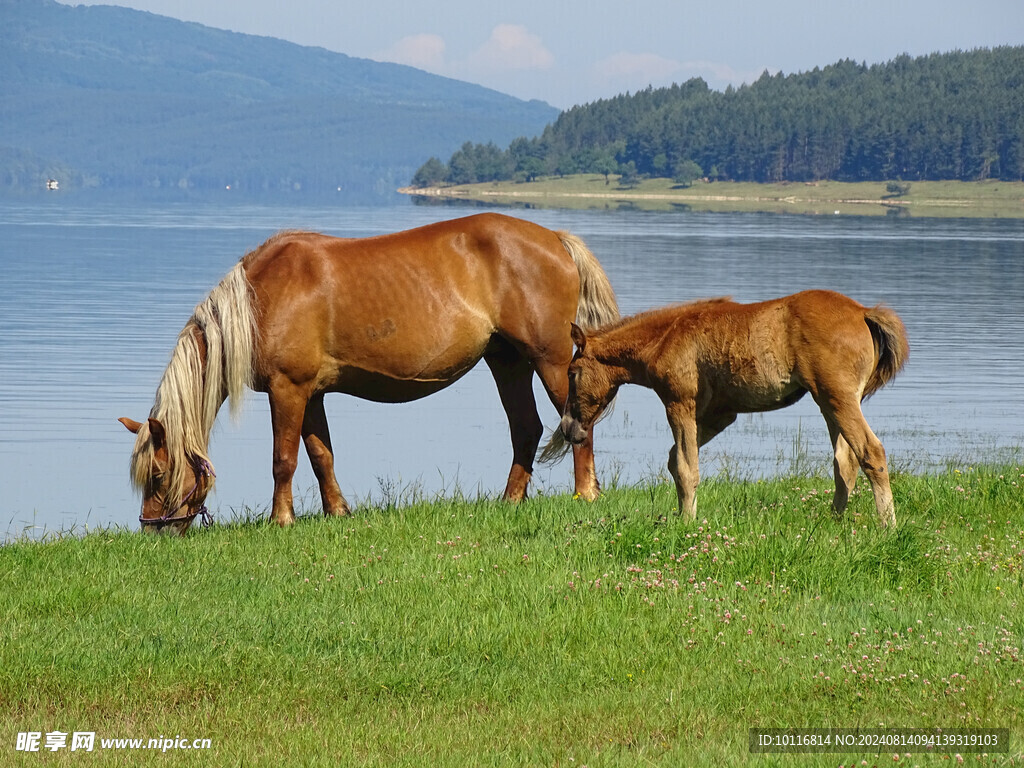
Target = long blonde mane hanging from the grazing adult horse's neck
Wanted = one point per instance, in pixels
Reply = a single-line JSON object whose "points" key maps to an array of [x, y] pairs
{"points": [[191, 394]]}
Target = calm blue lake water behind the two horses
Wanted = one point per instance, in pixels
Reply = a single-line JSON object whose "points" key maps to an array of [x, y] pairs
{"points": [[93, 298]]}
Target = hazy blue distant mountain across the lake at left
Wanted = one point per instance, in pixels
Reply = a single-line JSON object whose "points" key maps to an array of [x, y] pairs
{"points": [[116, 101]]}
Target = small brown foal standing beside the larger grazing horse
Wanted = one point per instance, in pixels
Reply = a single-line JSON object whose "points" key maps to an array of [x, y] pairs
{"points": [[713, 360]]}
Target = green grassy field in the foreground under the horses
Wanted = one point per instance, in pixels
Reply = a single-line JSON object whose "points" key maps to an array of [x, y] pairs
{"points": [[557, 633]]}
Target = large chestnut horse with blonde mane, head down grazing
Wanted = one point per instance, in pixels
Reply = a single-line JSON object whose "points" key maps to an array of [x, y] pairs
{"points": [[389, 319]]}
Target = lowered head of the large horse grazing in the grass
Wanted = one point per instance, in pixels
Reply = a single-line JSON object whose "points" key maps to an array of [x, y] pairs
{"points": [[174, 490]]}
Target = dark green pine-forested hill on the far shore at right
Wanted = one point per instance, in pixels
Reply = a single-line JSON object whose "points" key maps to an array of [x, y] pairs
{"points": [[956, 116]]}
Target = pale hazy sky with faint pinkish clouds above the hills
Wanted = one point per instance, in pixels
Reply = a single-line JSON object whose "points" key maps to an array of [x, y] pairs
{"points": [[573, 52]]}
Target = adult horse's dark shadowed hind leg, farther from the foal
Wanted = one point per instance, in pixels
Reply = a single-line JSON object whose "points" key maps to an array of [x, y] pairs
{"points": [[515, 377]]}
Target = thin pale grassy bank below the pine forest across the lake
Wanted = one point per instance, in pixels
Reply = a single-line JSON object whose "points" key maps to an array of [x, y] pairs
{"points": [[925, 199]]}
